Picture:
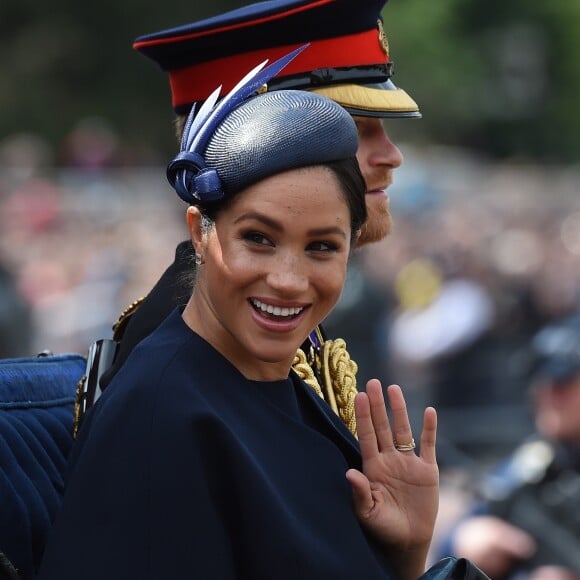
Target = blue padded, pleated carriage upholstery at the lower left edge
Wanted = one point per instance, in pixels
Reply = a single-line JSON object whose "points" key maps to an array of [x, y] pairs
{"points": [[37, 396]]}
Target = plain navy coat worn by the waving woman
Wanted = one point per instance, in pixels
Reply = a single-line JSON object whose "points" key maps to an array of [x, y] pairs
{"points": [[185, 469]]}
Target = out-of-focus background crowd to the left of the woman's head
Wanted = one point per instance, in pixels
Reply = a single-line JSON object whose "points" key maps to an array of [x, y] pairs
{"points": [[81, 241]]}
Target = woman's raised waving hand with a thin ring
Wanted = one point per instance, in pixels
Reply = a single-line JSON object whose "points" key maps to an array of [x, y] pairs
{"points": [[396, 495]]}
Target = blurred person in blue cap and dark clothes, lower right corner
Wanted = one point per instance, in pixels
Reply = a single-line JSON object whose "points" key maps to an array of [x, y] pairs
{"points": [[526, 521]]}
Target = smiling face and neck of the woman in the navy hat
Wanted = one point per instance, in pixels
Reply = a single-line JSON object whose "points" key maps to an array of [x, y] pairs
{"points": [[273, 267]]}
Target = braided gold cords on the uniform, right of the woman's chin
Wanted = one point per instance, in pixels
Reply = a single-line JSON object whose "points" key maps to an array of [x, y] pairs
{"points": [[332, 374]]}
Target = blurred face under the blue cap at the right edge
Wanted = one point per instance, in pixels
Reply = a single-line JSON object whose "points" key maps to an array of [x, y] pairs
{"points": [[557, 409]]}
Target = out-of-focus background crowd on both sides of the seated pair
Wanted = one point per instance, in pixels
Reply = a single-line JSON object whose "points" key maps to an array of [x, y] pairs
{"points": [[480, 258]]}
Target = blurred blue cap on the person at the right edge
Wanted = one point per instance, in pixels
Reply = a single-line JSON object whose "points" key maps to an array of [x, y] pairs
{"points": [[556, 350]]}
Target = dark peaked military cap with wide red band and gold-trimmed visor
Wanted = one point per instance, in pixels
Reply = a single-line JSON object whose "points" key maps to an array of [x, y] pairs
{"points": [[347, 60]]}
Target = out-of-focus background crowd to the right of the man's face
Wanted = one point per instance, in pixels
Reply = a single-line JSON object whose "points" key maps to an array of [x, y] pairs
{"points": [[480, 258]]}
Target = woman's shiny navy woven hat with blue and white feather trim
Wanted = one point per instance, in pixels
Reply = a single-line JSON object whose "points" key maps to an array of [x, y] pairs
{"points": [[250, 135]]}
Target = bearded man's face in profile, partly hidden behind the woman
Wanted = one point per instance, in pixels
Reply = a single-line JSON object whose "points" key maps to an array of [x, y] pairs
{"points": [[378, 157]]}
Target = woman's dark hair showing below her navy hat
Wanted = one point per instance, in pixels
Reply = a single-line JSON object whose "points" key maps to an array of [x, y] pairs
{"points": [[350, 179]]}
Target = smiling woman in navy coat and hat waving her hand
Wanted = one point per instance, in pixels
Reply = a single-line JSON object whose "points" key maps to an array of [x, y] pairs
{"points": [[207, 456]]}
